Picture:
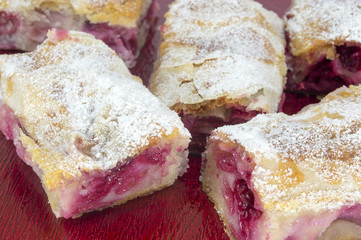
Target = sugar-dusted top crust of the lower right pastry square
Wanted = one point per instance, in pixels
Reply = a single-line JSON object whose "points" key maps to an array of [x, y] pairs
{"points": [[309, 162]]}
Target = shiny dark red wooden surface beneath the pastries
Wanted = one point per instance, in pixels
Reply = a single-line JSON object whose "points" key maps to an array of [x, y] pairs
{"points": [[181, 211]]}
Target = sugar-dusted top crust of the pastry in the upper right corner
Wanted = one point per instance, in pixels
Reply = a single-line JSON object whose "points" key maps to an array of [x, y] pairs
{"points": [[314, 24]]}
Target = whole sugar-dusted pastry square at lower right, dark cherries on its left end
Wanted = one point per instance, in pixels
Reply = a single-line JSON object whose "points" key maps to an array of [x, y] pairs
{"points": [[290, 177]]}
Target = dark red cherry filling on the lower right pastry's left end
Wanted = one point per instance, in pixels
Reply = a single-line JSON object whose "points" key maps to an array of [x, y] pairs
{"points": [[239, 198]]}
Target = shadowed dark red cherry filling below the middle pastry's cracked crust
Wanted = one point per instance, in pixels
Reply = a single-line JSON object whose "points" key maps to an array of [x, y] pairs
{"points": [[201, 127]]}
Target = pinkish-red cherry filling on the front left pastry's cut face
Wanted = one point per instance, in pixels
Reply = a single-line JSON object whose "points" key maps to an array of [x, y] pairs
{"points": [[101, 189]]}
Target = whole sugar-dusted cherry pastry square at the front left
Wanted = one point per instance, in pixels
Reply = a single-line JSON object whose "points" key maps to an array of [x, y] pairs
{"points": [[94, 135]]}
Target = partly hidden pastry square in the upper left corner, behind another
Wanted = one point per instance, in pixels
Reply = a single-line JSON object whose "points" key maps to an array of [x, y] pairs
{"points": [[122, 25]]}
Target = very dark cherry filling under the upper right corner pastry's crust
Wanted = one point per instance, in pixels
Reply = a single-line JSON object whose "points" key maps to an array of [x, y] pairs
{"points": [[327, 75]]}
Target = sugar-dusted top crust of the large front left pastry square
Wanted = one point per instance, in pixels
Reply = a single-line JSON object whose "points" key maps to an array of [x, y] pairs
{"points": [[80, 108]]}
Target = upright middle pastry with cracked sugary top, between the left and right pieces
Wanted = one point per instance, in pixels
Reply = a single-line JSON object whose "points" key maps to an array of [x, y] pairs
{"points": [[220, 62]]}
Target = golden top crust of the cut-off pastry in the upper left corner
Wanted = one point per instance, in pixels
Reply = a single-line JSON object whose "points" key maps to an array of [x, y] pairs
{"points": [[117, 12]]}
